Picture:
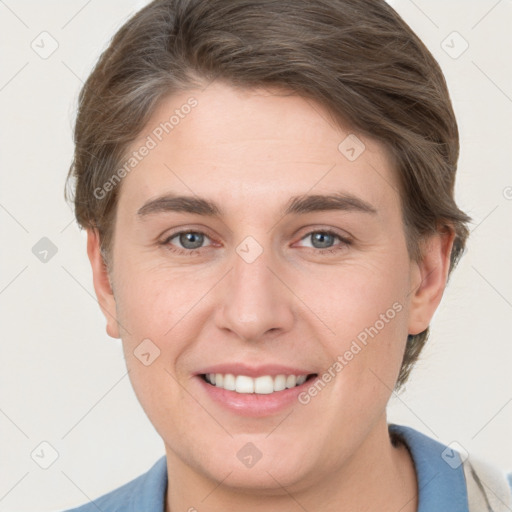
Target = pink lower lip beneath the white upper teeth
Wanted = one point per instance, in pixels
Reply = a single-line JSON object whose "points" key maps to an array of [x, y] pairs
{"points": [[255, 404]]}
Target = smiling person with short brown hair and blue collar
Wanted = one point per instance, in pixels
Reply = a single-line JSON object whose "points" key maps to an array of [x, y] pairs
{"points": [[267, 188]]}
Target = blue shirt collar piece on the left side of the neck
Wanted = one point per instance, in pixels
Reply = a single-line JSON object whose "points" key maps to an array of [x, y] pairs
{"points": [[146, 492]]}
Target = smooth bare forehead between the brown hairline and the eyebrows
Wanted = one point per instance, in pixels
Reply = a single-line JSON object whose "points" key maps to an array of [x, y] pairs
{"points": [[253, 146]]}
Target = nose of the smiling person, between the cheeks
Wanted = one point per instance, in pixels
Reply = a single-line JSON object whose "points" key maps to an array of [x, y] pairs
{"points": [[255, 298]]}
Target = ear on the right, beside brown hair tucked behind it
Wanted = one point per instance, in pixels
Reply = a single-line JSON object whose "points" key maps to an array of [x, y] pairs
{"points": [[428, 278]]}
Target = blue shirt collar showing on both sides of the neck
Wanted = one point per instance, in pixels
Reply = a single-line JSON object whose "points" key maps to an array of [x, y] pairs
{"points": [[439, 471]]}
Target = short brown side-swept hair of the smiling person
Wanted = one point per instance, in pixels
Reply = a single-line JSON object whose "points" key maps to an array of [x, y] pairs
{"points": [[356, 58]]}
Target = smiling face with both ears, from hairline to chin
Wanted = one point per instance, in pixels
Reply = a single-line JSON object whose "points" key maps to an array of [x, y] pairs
{"points": [[257, 284]]}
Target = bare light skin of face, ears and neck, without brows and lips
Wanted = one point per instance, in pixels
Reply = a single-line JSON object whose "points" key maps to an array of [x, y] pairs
{"points": [[250, 151]]}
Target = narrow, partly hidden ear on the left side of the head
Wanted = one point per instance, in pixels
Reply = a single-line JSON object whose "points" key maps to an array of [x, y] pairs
{"points": [[102, 285]]}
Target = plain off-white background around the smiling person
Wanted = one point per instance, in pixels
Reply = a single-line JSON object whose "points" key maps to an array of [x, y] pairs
{"points": [[63, 380]]}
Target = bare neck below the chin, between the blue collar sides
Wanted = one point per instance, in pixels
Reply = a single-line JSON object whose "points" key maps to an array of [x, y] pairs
{"points": [[377, 476]]}
